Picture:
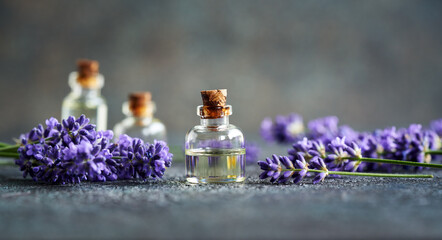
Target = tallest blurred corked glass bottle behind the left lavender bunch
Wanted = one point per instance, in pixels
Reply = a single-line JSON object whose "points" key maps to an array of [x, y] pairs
{"points": [[85, 97]]}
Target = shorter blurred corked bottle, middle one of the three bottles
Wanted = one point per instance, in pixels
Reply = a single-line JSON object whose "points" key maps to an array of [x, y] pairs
{"points": [[140, 122]]}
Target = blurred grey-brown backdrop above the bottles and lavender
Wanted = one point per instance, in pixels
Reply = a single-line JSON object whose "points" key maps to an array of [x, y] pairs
{"points": [[372, 63]]}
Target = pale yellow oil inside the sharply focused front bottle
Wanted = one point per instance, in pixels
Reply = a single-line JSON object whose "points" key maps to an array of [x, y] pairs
{"points": [[215, 165]]}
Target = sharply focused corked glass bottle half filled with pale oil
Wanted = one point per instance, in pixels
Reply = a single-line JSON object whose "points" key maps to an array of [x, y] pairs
{"points": [[214, 149]]}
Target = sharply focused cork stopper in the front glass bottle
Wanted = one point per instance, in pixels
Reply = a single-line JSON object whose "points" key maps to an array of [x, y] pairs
{"points": [[214, 104]]}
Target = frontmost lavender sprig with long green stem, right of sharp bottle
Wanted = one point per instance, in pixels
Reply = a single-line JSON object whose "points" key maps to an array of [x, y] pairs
{"points": [[280, 169]]}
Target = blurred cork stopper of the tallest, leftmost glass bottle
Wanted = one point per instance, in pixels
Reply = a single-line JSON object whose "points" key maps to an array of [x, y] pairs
{"points": [[87, 71]]}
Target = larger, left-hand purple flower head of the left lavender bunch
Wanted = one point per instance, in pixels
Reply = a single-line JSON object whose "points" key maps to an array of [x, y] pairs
{"points": [[66, 153]]}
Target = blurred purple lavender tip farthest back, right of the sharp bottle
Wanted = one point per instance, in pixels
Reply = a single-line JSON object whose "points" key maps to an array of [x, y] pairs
{"points": [[285, 129]]}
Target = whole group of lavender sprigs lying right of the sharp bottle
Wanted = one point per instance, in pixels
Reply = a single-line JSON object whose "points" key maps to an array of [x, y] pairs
{"points": [[328, 149]]}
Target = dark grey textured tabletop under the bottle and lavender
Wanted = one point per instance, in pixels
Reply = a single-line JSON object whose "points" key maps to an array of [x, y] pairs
{"points": [[357, 207]]}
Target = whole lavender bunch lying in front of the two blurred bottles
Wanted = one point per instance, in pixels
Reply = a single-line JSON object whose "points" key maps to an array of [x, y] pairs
{"points": [[72, 151]]}
